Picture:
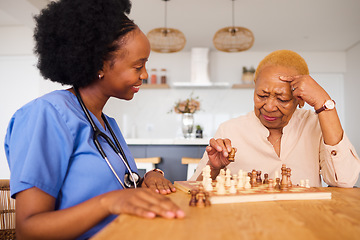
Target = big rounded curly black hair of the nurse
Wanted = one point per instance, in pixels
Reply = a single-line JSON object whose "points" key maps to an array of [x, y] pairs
{"points": [[74, 38]]}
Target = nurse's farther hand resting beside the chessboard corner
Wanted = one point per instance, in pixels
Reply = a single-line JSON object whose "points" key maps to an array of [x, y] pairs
{"points": [[156, 182]]}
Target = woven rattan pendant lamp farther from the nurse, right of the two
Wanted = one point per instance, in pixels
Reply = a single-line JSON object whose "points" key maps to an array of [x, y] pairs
{"points": [[233, 39]]}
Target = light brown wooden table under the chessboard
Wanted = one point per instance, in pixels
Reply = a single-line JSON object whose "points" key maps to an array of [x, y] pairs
{"points": [[338, 218]]}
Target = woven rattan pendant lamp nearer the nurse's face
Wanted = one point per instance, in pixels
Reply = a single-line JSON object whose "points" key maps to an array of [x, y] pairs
{"points": [[166, 40]]}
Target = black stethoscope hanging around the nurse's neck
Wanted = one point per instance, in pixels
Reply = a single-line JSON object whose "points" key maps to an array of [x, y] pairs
{"points": [[131, 179]]}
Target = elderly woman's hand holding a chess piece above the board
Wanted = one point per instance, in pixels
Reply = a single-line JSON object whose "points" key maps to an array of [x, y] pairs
{"points": [[218, 152]]}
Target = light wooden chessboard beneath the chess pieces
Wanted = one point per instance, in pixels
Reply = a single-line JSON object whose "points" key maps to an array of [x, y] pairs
{"points": [[257, 194]]}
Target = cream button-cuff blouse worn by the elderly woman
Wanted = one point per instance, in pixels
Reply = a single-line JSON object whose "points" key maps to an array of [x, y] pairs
{"points": [[302, 149]]}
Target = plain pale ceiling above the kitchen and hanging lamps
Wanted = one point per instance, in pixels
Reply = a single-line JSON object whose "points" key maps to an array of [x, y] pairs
{"points": [[300, 25]]}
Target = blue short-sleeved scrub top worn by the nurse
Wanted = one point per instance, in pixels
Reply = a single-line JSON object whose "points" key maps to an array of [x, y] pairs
{"points": [[49, 145]]}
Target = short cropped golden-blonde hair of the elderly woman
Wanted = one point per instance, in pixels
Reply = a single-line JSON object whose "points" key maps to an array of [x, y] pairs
{"points": [[284, 58]]}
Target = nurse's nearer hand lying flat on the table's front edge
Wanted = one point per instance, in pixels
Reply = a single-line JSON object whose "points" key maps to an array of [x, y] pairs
{"points": [[141, 202]]}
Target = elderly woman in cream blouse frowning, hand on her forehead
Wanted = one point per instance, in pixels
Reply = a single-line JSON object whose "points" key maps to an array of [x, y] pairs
{"points": [[311, 143]]}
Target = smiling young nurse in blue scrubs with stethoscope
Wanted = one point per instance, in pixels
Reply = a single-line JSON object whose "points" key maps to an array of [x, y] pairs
{"points": [[64, 188]]}
